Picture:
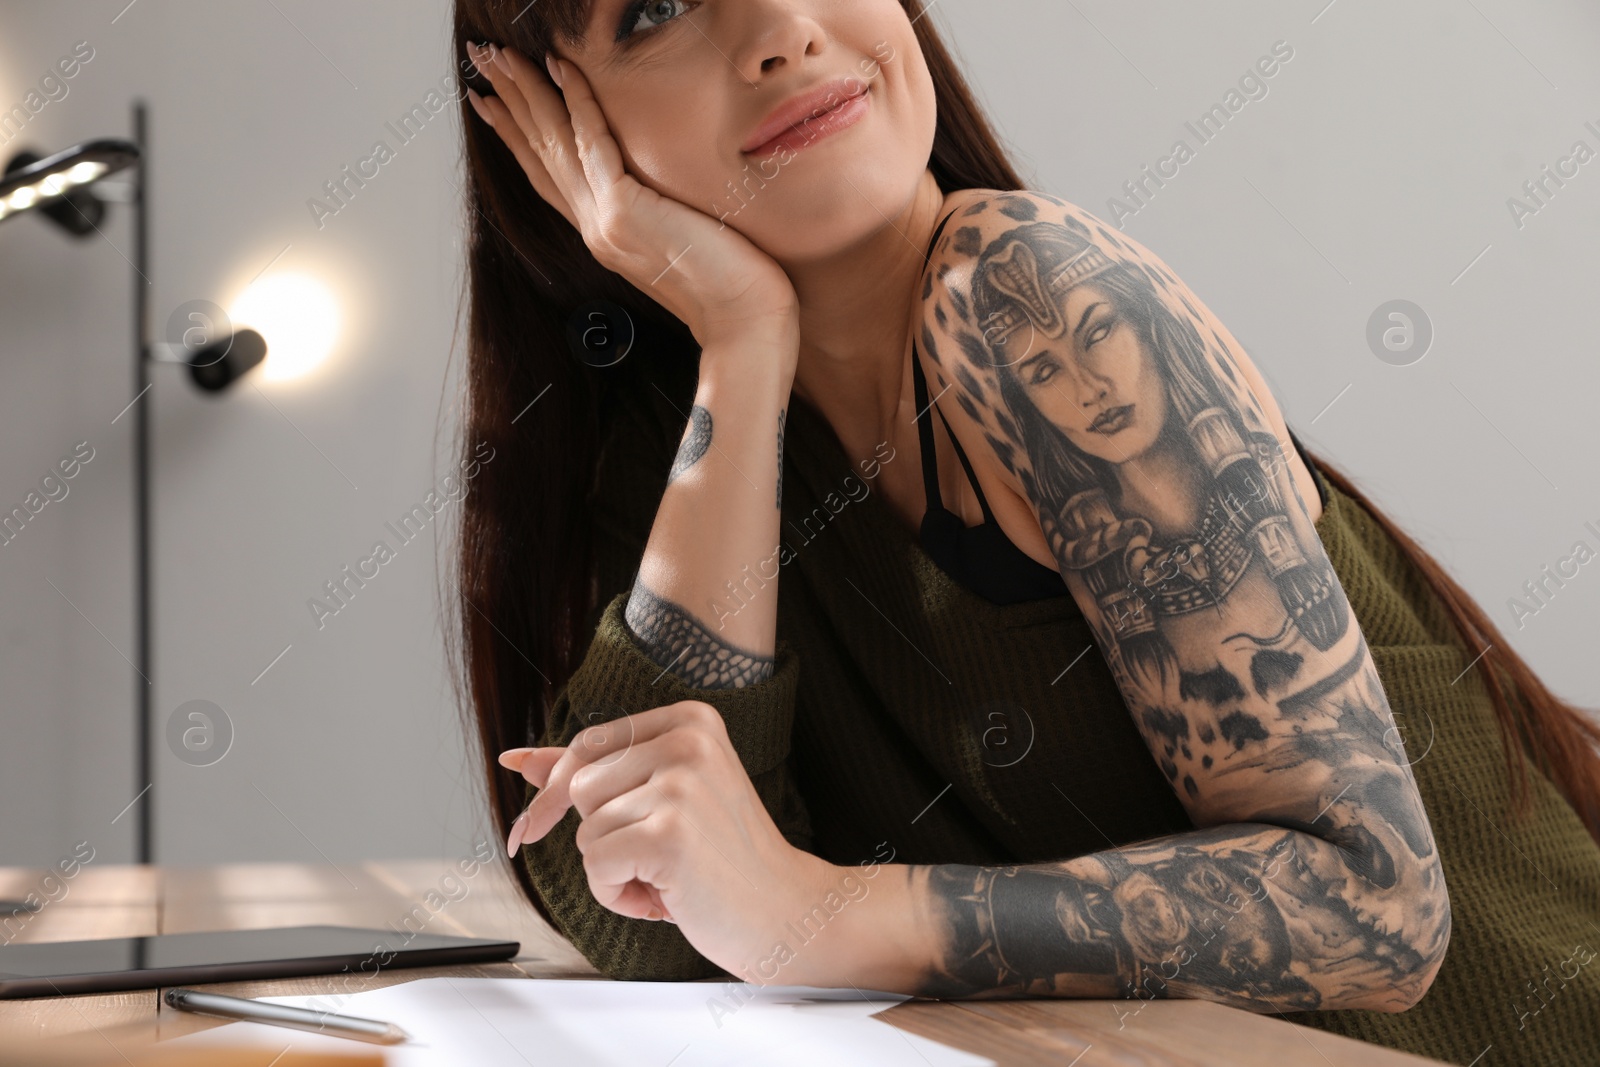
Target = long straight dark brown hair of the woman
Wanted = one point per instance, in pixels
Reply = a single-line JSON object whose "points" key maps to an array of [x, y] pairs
{"points": [[524, 586]]}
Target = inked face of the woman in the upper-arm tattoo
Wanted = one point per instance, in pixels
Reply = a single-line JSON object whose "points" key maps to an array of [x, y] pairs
{"points": [[1097, 383]]}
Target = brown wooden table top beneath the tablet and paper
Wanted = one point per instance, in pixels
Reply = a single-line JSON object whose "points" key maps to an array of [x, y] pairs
{"points": [[121, 901]]}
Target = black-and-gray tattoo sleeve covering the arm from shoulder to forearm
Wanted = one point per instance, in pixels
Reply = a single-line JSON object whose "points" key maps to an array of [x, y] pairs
{"points": [[1126, 417]]}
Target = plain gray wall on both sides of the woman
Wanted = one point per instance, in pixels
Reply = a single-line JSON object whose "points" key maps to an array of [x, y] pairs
{"points": [[1377, 166]]}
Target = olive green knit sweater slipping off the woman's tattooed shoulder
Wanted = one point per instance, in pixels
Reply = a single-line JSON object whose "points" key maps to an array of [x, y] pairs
{"points": [[910, 714]]}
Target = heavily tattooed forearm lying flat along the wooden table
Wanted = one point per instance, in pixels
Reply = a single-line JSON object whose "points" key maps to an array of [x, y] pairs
{"points": [[1254, 916]]}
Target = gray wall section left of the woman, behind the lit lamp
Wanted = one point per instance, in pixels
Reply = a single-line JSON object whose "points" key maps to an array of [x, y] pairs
{"points": [[350, 746]]}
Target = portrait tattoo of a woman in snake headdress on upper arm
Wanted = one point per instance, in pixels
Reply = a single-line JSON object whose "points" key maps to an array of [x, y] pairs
{"points": [[1172, 433]]}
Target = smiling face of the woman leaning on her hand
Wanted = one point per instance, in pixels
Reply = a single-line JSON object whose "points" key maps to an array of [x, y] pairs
{"points": [[692, 82]]}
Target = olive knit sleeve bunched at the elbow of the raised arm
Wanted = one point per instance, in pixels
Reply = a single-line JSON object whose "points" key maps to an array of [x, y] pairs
{"points": [[617, 677]]}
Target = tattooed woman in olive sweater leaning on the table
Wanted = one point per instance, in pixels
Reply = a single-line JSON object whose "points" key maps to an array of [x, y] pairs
{"points": [[1231, 802]]}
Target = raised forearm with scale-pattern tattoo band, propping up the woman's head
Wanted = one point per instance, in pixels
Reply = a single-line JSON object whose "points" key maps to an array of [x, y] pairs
{"points": [[705, 604]]}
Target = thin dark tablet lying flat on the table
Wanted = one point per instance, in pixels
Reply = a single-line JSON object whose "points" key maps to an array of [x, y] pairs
{"points": [[97, 967]]}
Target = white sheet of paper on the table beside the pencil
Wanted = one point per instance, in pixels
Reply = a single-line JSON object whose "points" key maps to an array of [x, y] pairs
{"points": [[545, 1023]]}
